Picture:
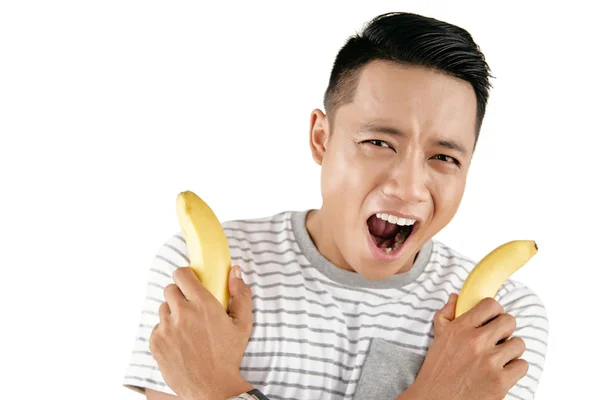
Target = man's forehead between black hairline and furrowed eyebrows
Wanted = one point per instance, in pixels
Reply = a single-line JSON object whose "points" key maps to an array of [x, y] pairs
{"points": [[415, 100]]}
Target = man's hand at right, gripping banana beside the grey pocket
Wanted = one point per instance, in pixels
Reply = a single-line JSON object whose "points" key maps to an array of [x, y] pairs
{"points": [[466, 360]]}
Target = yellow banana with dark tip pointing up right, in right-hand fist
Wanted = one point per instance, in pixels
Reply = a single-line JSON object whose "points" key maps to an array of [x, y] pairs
{"points": [[489, 274]]}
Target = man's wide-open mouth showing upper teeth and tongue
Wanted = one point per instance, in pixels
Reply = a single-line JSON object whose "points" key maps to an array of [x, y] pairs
{"points": [[389, 232]]}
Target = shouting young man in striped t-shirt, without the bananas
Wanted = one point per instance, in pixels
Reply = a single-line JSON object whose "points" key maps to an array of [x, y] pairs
{"points": [[355, 300]]}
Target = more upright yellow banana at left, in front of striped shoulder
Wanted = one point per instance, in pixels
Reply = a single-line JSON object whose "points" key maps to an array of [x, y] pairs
{"points": [[207, 244]]}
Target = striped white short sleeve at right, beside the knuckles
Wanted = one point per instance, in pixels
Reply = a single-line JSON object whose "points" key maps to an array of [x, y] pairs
{"points": [[522, 303]]}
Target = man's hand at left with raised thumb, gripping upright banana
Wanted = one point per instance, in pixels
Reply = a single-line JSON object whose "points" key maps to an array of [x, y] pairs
{"points": [[197, 345]]}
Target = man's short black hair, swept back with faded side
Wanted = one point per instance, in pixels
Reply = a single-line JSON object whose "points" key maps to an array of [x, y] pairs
{"points": [[409, 39]]}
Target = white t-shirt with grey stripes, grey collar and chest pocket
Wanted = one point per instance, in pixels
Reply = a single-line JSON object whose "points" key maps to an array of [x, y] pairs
{"points": [[321, 332]]}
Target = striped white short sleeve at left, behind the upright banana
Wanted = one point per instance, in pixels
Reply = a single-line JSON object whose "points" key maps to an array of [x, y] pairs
{"points": [[142, 371]]}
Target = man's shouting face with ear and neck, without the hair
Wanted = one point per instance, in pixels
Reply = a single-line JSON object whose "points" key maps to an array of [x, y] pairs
{"points": [[401, 148]]}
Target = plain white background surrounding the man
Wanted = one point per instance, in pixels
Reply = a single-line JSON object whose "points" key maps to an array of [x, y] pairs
{"points": [[108, 109]]}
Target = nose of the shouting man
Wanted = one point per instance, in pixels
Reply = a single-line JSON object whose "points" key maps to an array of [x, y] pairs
{"points": [[407, 180]]}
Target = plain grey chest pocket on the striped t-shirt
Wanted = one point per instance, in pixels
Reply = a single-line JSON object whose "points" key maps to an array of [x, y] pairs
{"points": [[388, 371]]}
